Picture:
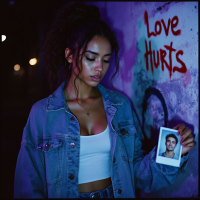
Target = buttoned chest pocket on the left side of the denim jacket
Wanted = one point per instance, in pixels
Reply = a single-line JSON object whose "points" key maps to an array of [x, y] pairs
{"points": [[52, 149]]}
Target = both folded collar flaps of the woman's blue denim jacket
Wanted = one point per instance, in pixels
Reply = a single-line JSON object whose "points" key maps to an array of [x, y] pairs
{"points": [[58, 102]]}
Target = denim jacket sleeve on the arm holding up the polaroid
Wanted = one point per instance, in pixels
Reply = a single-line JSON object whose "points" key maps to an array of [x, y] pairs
{"points": [[150, 176]]}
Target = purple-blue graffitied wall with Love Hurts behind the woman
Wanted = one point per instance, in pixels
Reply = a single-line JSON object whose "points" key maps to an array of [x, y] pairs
{"points": [[159, 73]]}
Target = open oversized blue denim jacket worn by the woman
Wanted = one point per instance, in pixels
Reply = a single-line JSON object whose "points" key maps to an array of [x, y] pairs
{"points": [[48, 160]]}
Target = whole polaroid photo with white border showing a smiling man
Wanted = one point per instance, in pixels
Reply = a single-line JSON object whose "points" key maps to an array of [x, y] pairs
{"points": [[169, 147]]}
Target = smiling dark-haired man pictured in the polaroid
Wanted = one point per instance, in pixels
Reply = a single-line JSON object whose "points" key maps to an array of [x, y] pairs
{"points": [[171, 142]]}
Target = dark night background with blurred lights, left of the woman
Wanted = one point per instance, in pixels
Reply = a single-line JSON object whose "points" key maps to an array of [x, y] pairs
{"points": [[25, 24]]}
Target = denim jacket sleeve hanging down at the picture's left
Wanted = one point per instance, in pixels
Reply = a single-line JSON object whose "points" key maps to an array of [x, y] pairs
{"points": [[29, 179]]}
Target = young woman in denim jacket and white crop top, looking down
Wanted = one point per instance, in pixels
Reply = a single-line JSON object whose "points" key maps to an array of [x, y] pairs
{"points": [[84, 140]]}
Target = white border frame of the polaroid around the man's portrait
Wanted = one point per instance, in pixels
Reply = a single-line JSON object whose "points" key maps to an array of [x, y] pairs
{"points": [[165, 160]]}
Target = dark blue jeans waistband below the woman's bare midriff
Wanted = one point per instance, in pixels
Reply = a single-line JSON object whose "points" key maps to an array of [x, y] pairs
{"points": [[105, 193]]}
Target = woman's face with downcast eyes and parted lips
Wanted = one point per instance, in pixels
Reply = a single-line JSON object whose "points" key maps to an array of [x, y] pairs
{"points": [[95, 61]]}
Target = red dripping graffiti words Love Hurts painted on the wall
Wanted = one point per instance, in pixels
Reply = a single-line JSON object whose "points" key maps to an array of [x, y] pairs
{"points": [[161, 53]]}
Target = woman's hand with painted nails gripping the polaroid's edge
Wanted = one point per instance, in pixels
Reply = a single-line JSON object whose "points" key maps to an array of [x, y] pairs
{"points": [[186, 139]]}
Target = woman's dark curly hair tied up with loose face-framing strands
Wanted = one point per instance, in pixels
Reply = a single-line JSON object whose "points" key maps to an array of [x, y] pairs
{"points": [[74, 27]]}
